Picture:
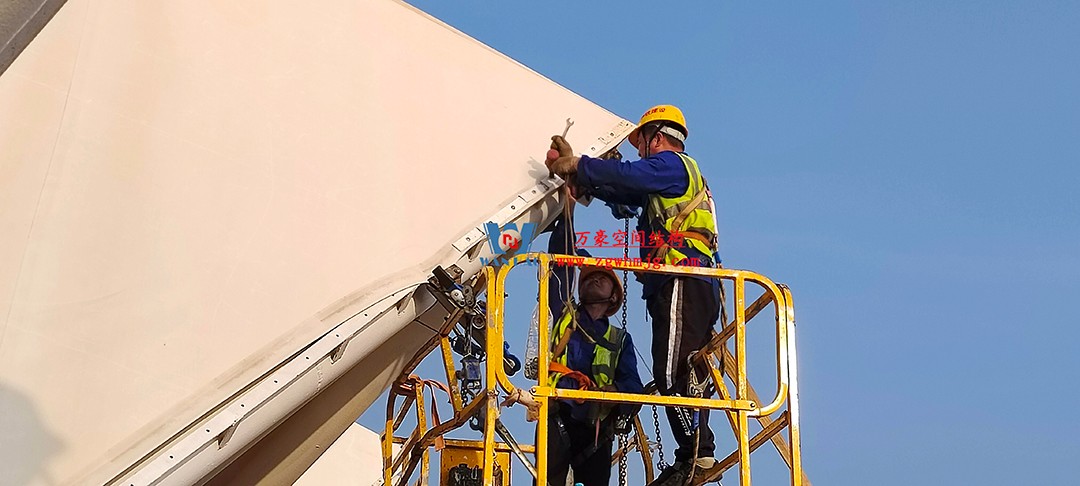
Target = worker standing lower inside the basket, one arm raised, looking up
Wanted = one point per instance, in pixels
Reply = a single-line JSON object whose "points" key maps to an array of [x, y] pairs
{"points": [[588, 353]]}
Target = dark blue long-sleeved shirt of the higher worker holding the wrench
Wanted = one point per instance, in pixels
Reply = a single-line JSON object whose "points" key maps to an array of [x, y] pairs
{"points": [[631, 184]]}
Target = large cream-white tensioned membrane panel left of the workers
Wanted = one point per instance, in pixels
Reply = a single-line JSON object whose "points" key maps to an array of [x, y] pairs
{"points": [[191, 193]]}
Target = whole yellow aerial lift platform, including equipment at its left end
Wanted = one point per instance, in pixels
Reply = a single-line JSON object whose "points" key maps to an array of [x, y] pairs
{"points": [[475, 390]]}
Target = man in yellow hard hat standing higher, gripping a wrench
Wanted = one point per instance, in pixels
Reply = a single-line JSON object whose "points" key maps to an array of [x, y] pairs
{"points": [[668, 184]]}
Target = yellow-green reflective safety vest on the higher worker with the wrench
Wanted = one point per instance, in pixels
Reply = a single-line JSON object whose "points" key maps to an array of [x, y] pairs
{"points": [[700, 220]]}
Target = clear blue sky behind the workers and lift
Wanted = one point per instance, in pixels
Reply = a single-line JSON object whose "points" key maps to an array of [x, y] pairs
{"points": [[910, 169]]}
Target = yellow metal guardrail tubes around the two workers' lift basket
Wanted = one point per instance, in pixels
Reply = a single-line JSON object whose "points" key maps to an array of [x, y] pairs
{"points": [[739, 408]]}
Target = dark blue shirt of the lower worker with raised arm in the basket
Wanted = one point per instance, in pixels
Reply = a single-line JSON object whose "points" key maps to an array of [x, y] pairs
{"points": [[580, 350]]}
